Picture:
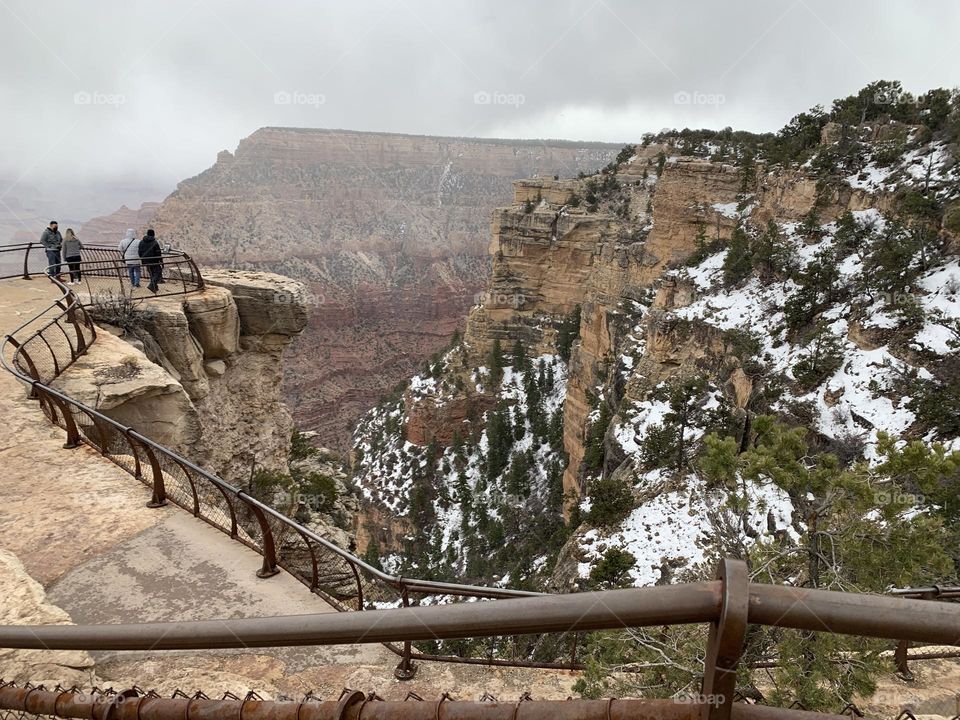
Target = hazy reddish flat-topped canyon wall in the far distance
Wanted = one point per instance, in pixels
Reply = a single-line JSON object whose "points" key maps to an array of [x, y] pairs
{"points": [[388, 232]]}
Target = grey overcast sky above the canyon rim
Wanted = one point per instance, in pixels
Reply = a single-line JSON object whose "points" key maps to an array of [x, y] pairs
{"points": [[109, 102]]}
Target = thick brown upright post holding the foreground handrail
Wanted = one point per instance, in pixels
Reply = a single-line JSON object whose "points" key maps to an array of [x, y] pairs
{"points": [[726, 642]]}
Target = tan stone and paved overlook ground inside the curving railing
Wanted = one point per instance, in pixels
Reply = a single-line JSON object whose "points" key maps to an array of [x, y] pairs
{"points": [[78, 544]]}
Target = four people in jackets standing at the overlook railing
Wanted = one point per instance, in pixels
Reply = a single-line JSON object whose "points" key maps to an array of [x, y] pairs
{"points": [[144, 253]]}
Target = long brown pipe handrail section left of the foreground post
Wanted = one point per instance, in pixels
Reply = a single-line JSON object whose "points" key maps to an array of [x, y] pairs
{"points": [[574, 612]]}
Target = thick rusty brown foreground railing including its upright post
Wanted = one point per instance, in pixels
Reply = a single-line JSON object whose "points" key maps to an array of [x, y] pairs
{"points": [[730, 604]]}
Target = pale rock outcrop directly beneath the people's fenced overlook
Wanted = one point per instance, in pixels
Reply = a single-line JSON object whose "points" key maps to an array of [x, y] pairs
{"points": [[203, 372]]}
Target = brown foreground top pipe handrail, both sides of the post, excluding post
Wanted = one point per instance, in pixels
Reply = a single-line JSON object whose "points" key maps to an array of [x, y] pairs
{"points": [[858, 614]]}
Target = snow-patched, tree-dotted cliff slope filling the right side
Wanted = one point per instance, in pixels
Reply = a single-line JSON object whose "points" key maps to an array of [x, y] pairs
{"points": [[690, 287]]}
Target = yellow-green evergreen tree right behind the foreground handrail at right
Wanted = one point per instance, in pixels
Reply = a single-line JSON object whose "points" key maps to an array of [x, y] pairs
{"points": [[853, 538]]}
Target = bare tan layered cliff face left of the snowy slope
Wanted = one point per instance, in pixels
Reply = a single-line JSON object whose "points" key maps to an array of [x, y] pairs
{"points": [[558, 258]]}
